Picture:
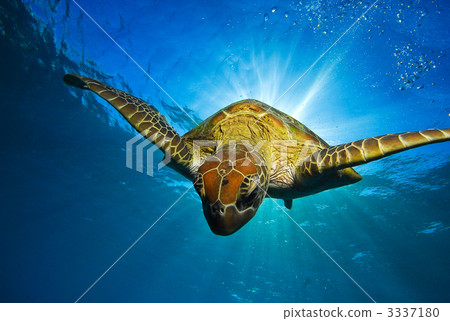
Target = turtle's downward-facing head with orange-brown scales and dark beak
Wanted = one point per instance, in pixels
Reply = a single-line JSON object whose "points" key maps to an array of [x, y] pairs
{"points": [[231, 190]]}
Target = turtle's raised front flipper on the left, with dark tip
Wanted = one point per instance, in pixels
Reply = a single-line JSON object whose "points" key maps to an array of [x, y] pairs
{"points": [[145, 118]]}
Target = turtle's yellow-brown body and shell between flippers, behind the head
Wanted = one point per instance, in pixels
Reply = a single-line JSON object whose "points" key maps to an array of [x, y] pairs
{"points": [[284, 142]]}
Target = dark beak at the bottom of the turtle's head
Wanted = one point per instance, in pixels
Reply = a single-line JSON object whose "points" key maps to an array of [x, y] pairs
{"points": [[225, 220]]}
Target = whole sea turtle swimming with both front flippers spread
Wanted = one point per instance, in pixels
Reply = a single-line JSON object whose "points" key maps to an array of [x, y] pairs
{"points": [[249, 150]]}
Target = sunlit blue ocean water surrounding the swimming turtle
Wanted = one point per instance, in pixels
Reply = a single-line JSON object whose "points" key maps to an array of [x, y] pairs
{"points": [[70, 207]]}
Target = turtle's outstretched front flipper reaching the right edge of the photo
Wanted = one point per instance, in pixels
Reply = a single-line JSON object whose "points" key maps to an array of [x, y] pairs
{"points": [[367, 150]]}
